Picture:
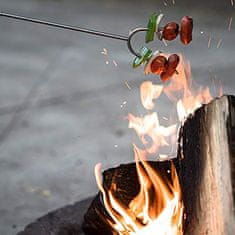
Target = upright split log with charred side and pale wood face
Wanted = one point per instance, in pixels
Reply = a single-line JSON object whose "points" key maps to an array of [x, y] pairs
{"points": [[207, 168]]}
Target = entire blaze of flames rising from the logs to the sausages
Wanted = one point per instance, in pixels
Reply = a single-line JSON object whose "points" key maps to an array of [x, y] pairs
{"points": [[158, 207]]}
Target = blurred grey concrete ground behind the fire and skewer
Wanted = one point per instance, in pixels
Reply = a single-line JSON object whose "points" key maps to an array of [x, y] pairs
{"points": [[60, 101]]}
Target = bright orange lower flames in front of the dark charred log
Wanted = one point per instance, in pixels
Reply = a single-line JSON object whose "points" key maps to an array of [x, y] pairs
{"points": [[158, 207]]}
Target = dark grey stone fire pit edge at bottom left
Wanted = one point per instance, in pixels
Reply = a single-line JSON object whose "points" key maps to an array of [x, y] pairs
{"points": [[64, 221]]}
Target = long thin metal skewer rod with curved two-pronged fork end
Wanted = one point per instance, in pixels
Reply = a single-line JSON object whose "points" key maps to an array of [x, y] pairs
{"points": [[81, 29]]}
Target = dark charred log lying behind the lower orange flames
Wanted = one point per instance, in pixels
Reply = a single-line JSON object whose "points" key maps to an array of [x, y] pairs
{"points": [[125, 178]]}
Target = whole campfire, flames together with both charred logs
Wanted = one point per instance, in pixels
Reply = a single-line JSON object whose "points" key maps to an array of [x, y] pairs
{"points": [[156, 197]]}
